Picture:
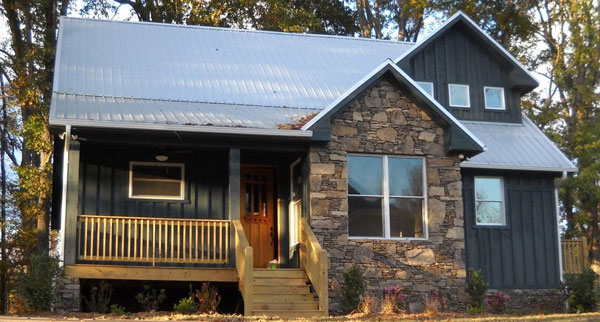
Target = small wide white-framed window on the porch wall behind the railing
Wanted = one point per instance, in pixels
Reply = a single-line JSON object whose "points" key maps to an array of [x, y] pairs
{"points": [[156, 180]]}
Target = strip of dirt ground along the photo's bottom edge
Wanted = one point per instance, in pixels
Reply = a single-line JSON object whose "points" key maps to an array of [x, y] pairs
{"points": [[166, 316]]}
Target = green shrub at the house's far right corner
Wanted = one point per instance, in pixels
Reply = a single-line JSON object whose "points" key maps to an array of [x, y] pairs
{"points": [[582, 292]]}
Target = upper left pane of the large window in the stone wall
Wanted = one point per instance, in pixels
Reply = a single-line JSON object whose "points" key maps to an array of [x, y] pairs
{"points": [[364, 175]]}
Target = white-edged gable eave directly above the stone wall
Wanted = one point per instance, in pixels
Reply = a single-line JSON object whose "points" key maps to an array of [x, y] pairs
{"points": [[461, 138]]}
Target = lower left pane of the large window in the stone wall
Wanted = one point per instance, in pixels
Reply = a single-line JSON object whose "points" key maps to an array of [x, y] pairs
{"points": [[365, 216]]}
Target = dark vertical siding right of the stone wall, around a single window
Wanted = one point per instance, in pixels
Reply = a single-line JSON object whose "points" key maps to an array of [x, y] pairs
{"points": [[524, 253]]}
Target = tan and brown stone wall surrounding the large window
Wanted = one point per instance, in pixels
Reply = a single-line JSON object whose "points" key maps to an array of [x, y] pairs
{"points": [[383, 120]]}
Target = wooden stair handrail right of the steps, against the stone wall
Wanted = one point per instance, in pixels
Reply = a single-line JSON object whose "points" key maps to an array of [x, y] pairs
{"points": [[313, 259]]}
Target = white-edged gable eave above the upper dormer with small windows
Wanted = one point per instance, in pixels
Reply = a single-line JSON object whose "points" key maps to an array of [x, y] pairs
{"points": [[523, 78]]}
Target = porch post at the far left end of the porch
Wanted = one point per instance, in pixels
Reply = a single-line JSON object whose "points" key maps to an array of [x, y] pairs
{"points": [[72, 203]]}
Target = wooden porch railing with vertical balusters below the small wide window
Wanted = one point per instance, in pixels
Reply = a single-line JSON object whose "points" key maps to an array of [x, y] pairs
{"points": [[152, 240]]}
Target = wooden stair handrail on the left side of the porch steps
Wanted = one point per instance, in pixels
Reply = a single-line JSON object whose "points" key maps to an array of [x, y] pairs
{"points": [[244, 264]]}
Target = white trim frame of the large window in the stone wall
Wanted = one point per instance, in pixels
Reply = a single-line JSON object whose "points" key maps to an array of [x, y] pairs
{"points": [[386, 197]]}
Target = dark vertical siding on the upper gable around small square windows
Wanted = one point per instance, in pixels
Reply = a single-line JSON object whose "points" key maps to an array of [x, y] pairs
{"points": [[457, 58]]}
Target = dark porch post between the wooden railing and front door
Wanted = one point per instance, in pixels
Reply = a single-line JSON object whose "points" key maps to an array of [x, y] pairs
{"points": [[233, 195]]}
